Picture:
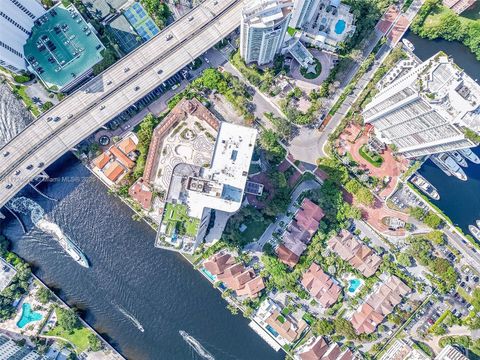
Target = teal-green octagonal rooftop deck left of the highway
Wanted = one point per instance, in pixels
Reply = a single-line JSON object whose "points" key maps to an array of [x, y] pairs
{"points": [[62, 47]]}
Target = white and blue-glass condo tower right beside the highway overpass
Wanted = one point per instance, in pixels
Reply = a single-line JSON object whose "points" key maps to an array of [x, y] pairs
{"points": [[262, 30]]}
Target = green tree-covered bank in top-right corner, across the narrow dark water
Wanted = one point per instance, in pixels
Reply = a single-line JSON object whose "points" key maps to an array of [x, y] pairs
{"points": [[435, 21]]}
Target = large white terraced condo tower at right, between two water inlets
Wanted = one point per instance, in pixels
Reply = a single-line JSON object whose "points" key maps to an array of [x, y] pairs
{"points": [[424, 111]]}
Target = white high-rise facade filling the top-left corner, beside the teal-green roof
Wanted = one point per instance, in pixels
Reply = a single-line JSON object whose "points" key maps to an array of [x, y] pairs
{"points": [[16, 21]]}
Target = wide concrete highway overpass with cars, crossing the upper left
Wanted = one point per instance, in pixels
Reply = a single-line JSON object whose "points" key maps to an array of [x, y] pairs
{"points": [[101, 99]]}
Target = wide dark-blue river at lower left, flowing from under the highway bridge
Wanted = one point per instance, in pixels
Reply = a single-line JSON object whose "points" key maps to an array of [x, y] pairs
{"points": [[127, 276]]}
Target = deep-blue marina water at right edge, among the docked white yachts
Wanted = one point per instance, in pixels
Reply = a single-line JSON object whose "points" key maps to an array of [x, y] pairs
{"points": [[459, 200]]}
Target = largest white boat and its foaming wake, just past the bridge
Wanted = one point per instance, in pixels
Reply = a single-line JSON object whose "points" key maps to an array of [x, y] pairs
{"points": [[27, 206]]}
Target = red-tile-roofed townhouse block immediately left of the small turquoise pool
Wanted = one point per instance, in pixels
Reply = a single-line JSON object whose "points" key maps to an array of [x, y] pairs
{"points": [[321, 286]]}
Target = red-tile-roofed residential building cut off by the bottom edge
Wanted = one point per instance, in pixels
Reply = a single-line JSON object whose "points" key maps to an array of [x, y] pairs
{"points": [[319, 349]]}
